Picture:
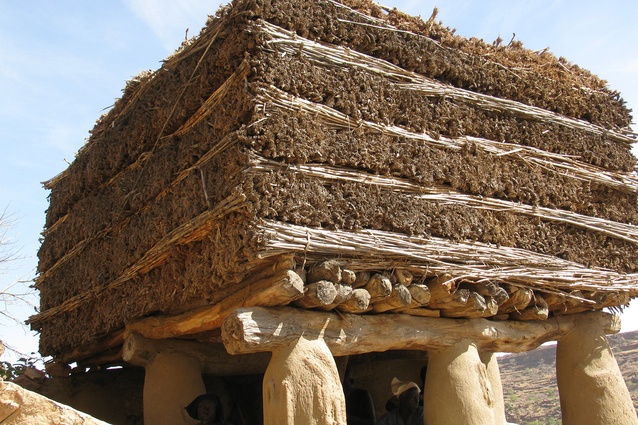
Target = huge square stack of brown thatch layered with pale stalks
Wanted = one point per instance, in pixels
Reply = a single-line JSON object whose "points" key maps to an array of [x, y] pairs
{"points": [[348, 132]]}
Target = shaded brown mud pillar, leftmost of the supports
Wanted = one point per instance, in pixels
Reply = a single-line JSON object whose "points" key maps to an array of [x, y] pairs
{"points": [[171, 382]]}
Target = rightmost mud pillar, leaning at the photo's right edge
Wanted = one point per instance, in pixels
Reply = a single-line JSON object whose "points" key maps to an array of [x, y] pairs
{"points": [[591, 387]]}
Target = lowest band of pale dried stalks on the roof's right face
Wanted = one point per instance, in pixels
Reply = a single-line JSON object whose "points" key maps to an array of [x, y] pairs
{"points": [[378, 250]]}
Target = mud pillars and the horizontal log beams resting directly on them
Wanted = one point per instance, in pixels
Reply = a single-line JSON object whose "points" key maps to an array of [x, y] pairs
{"points": [[302, 383]]}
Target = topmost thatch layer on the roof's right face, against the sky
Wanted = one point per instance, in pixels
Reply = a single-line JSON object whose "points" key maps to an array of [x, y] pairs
{"points": [[427, 48]]}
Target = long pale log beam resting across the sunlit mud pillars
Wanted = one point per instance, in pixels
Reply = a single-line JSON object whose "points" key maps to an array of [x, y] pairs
{"points": [[251, 330]]}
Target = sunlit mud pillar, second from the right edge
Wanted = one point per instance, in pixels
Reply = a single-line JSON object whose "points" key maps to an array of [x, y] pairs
{"points": [[458, 389]]}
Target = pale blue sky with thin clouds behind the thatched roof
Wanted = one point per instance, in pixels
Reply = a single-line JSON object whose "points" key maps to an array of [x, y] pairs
{"points": [[63, 63]]}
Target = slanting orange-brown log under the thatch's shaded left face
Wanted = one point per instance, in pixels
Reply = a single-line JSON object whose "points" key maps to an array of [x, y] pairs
{"points": [[280, 289]]}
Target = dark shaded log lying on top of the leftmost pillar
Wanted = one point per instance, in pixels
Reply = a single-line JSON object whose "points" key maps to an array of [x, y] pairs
{"points": [[213, 358]]}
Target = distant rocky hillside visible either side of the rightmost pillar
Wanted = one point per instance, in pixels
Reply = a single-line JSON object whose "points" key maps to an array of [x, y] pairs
{"points": [[529, 380]]}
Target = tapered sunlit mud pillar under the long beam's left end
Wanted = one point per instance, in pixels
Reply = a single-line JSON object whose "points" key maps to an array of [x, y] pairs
{"points": [[301, 386]]}
